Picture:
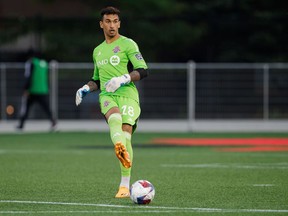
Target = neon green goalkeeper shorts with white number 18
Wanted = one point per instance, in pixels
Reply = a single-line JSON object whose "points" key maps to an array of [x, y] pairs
{"points": [[129, 108]]}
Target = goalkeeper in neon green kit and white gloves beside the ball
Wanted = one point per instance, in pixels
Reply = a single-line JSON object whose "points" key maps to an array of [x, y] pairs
{"points": [[119, 100]]}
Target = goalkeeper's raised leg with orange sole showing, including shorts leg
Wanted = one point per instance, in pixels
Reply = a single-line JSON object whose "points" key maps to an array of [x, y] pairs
{"points": [[110, 109]]}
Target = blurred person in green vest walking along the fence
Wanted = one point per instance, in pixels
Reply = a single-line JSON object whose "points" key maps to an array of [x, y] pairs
{"points": [[36, 88]]}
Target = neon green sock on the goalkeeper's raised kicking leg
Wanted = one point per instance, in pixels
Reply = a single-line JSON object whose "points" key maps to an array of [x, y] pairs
{"points": [[115, 125]]}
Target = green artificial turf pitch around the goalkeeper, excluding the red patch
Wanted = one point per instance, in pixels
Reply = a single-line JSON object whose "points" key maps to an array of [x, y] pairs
{"points": [[78, 174]]}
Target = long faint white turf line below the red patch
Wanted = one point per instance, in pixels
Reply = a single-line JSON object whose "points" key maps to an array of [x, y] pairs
{"points": [[225, 166]]}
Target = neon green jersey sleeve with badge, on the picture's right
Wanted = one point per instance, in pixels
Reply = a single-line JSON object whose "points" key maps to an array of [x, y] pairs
{"points": [[135, 56]]}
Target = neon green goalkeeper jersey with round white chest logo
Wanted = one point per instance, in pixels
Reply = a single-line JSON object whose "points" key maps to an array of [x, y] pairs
{"points": [[111, 60]]}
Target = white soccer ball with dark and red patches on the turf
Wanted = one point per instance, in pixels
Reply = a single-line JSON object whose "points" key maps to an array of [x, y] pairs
{"points": [[142, 192]]}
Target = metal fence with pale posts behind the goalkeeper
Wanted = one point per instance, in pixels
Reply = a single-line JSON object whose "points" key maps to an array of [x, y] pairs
{"points": [[173, 91]]}
